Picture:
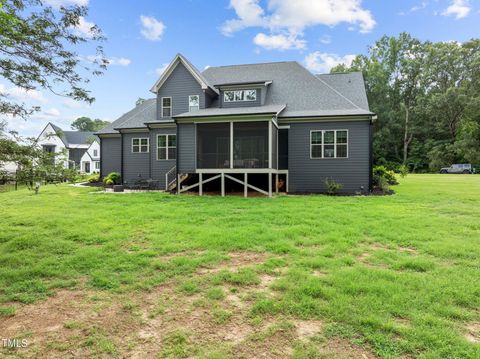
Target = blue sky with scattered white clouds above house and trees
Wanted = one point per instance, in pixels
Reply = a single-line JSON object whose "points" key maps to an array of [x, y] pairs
{"points": [[144, 35]]}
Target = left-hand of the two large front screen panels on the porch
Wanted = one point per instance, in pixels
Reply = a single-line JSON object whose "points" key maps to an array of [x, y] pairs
{"points": [[213, 145]]}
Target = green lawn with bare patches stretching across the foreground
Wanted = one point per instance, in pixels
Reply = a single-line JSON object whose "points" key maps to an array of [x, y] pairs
{"points": [[301, 276]]}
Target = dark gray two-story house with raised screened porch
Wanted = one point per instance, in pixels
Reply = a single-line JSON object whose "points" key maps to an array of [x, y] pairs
{"points": [[260, 127]]}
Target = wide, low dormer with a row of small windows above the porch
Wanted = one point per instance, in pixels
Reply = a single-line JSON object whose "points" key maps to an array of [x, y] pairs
{"points": [[243, 94]]}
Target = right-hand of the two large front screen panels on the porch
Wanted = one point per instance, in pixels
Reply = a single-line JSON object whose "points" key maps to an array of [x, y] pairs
{"points": [[250, 144]]}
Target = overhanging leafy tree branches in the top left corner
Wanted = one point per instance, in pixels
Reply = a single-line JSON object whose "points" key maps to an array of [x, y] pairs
{"points": [[37, 52]]}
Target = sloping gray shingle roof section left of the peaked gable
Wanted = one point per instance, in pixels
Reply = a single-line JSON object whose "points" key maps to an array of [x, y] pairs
{"points": [[135, 118]]}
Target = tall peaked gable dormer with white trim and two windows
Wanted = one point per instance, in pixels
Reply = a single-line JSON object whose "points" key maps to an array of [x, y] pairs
{"points": [[182, 88]]}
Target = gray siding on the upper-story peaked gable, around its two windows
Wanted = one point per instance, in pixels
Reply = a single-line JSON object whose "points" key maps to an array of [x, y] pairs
{"points": [[179, 85]]}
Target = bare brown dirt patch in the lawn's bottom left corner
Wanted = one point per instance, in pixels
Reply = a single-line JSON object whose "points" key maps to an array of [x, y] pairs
{"points": [[62, 325]]}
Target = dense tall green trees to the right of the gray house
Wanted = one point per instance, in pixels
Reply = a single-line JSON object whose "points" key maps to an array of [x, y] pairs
{"points": [[427, 98]]}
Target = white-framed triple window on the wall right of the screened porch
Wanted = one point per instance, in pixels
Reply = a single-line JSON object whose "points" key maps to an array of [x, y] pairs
{"points": [[329, 144]]}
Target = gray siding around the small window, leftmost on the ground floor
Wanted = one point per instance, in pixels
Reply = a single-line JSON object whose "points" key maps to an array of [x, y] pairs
{"points": [[135, 165]]}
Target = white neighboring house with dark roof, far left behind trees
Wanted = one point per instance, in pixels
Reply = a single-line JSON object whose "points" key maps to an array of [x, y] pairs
{"points": [[70, 147]]}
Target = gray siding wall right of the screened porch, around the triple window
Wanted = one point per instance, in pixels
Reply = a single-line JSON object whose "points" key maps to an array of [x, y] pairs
{"points": [[308, 175]]}
